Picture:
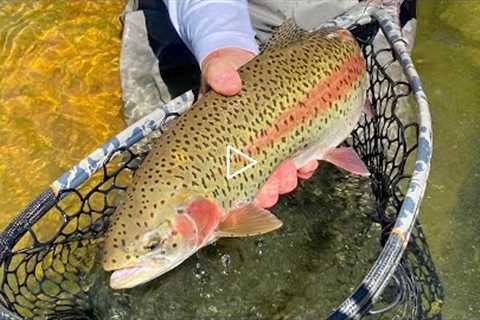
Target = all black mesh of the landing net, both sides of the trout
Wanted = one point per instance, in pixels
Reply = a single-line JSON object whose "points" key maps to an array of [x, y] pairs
{"points": [[44, 275]]}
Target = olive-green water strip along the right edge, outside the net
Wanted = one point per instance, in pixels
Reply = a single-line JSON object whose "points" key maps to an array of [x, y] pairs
{"points": [[447, 54]]}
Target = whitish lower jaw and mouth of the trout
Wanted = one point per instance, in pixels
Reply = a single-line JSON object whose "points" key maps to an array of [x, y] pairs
{"points": [[130, 277]]}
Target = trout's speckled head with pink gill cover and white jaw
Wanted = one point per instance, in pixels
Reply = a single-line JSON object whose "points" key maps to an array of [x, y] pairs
{"points": [[143, 247]]}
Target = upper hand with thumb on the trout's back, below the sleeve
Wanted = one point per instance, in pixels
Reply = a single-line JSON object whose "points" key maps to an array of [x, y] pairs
{"points": [[219, 70]]}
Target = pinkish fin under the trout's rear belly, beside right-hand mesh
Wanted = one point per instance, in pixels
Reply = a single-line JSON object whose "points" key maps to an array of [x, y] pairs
{"points": [[346, 158]]}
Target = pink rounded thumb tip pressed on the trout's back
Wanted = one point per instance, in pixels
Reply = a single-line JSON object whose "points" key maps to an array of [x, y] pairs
{"points": [[222, 77]]}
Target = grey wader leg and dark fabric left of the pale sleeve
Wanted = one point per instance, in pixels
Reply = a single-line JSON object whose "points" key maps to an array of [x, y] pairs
{"points": [[155, 64]]}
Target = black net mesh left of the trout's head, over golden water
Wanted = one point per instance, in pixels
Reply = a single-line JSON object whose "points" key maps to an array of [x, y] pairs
{"points": [[41, 276]]}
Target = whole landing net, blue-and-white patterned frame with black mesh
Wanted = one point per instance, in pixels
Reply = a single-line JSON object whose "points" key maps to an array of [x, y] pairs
{"points": [[42, 272]]}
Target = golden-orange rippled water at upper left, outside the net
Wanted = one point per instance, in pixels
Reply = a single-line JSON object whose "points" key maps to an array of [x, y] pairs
{"points": [[59, 90]]}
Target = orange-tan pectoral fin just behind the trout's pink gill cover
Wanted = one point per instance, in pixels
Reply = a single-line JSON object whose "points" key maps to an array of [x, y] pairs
{"points": [[248, 221]]}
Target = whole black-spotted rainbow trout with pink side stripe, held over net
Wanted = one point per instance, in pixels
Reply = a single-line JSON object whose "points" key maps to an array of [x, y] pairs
{"points": [[302, 96]]}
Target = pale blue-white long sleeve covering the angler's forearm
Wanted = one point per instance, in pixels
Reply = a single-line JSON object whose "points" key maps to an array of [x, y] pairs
{"points": [[207, 25]]}
